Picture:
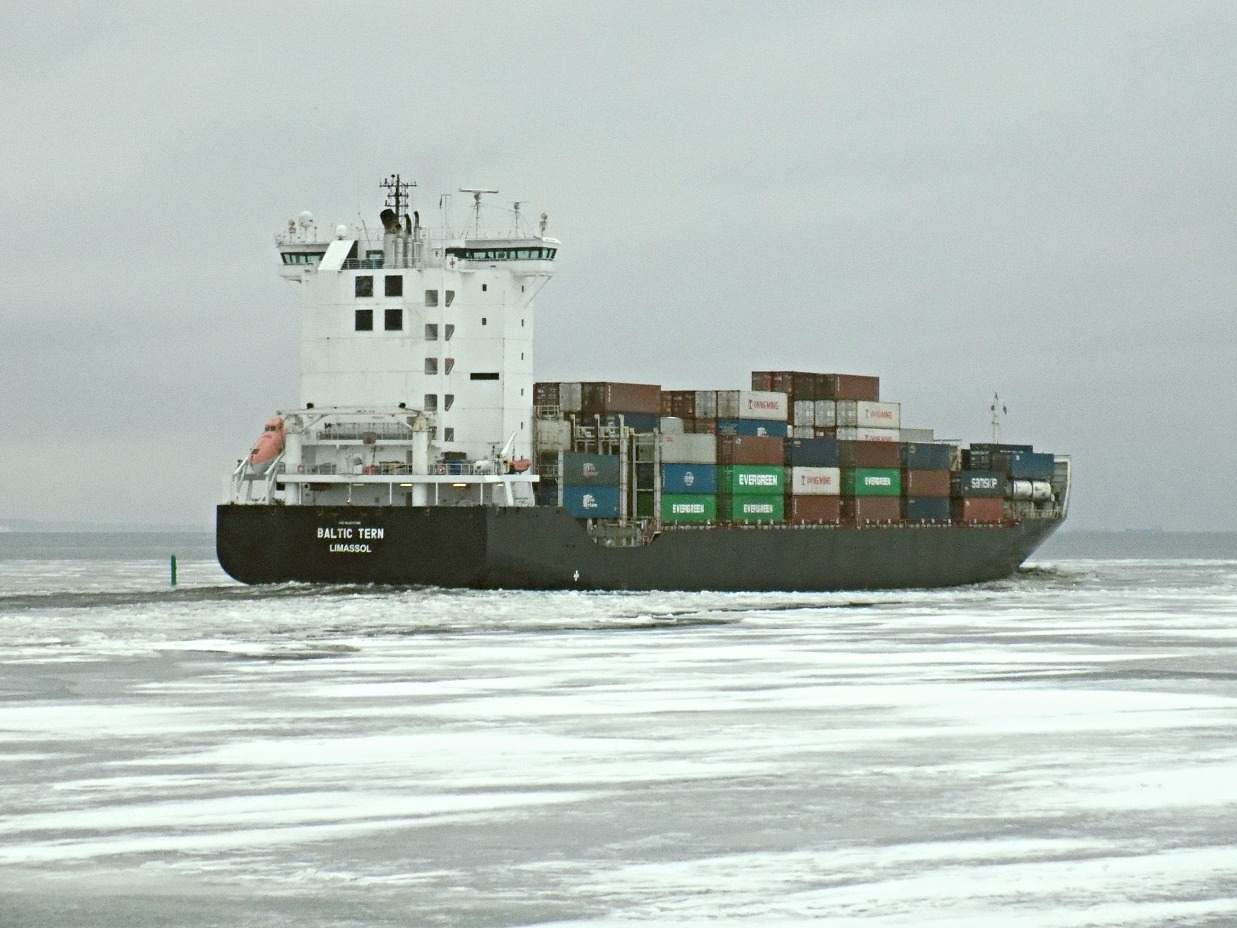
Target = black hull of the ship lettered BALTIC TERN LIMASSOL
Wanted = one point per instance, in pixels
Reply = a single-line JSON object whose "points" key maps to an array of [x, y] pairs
{"points": [[547, 549]]}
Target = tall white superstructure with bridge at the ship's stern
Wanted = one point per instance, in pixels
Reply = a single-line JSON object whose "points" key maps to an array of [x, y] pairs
{"points": [[419, 342]]}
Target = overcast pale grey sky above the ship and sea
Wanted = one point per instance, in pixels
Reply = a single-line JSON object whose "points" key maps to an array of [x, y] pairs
{"points": [[961, 197]]}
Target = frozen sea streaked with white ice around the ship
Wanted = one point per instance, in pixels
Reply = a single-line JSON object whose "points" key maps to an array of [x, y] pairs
{"points": [[1058, 749]]}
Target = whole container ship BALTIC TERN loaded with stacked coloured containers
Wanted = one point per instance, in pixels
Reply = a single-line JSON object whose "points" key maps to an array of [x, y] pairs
{"points": [[426, 453]]}
